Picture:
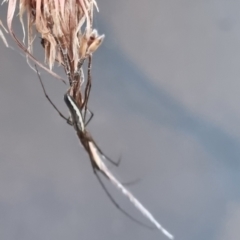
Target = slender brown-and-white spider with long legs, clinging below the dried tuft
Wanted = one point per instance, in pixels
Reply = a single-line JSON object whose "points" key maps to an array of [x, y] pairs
{"points": [[78, 110]]}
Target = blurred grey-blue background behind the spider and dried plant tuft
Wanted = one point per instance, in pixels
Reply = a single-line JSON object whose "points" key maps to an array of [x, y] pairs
{"points": [[166, 94]]}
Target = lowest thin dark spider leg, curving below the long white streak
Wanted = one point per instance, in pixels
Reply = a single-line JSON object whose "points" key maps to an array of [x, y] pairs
{"points": [[115, 203]]}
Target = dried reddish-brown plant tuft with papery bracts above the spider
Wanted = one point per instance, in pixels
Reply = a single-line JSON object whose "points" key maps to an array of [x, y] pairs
{"points": [[65, 27]]}
